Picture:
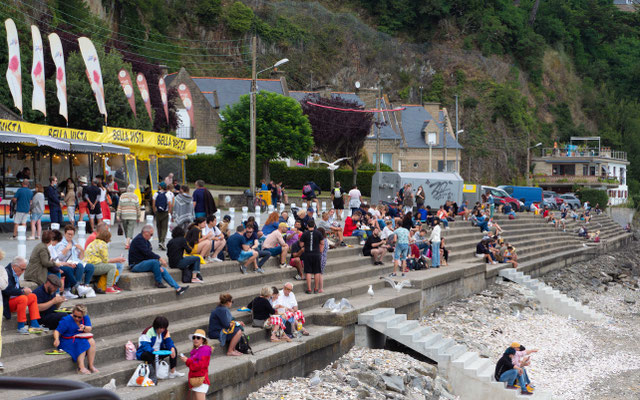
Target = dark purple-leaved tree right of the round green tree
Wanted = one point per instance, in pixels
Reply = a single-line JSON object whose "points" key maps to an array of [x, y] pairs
{"points": [[337, 133]]}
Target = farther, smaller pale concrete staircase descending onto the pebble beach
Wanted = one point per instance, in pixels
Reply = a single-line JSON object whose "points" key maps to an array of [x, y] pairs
{"points": [[553, 299]]}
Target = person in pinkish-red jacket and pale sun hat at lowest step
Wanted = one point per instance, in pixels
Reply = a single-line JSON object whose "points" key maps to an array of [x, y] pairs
{"points": [[198, 363]]}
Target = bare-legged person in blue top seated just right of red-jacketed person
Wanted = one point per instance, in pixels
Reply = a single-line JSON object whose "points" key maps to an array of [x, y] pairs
{"points": [[223, 327]]}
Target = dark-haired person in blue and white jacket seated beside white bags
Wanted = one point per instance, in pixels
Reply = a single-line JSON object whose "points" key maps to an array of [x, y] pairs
{"points": [[155, 338]]}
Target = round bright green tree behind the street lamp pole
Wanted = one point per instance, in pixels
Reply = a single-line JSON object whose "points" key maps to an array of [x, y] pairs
{"points": [[282, 131]]}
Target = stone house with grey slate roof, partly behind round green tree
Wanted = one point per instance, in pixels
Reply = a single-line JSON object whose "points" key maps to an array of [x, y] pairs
{"points": [[210, 96]]}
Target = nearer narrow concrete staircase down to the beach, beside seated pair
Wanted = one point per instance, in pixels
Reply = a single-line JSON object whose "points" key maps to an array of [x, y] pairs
{"points": [[470, 375]]}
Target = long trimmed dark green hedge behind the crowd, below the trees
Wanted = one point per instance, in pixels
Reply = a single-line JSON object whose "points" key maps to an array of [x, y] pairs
{"points": [[215, 170]]}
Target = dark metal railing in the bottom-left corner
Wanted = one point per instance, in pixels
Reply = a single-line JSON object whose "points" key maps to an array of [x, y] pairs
{"points": [[69, 390]]}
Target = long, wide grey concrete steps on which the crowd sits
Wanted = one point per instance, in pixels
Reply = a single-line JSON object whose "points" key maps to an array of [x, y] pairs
{"points": [[118, 318]]}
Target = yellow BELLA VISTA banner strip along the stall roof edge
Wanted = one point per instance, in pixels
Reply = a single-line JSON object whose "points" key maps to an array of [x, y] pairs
{"points": [[152, 142]]}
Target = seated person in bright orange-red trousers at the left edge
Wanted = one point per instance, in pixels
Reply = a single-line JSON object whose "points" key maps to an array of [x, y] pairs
{"points": [[17, 299]]}
